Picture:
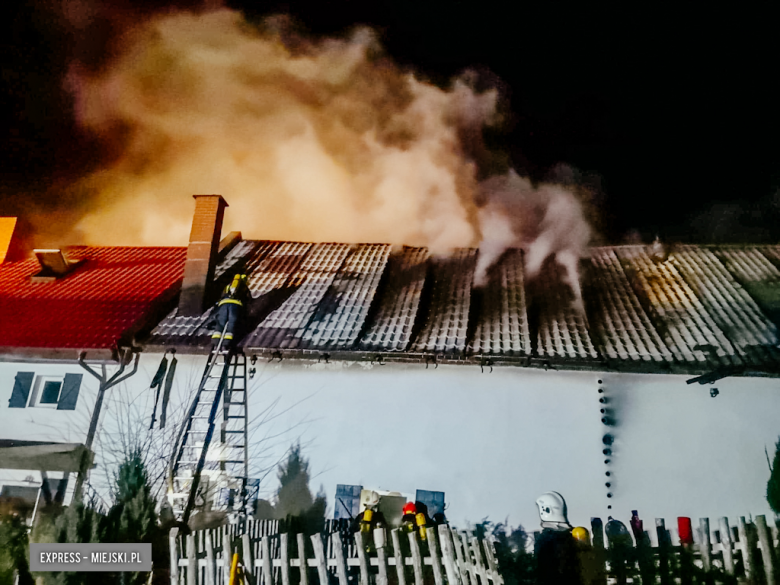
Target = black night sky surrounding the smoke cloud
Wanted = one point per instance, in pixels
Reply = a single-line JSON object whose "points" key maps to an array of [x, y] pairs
{"points": [[658, 104]]}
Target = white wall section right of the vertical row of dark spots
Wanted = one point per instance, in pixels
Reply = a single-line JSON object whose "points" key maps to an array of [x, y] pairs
{"points": [[680, 452]]}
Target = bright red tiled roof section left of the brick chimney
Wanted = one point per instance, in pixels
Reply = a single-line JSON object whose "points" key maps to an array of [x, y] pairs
{"points": [[92, 307]]}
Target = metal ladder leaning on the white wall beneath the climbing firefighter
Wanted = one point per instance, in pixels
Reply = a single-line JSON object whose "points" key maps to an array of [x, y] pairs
{"points": [[208, 469]]}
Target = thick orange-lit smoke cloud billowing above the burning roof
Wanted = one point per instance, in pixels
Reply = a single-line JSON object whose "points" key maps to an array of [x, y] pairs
{"points": [[307, 140]]}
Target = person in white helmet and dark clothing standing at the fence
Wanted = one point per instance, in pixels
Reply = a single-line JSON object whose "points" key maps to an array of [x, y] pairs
{"points": [[556, 551]]}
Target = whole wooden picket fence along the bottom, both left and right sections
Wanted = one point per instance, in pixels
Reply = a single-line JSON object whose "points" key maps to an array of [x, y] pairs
{"points": [[746, 552]]}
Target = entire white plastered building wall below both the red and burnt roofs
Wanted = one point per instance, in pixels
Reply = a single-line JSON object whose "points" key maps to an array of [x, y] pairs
{"points": [[491, 441]]}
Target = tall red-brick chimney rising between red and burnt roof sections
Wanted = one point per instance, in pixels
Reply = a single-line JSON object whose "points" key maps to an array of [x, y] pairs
{"points": [[201, 253]]}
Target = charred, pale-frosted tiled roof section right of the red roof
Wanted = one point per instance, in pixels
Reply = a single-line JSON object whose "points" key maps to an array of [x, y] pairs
{"points": [[702, 309]]}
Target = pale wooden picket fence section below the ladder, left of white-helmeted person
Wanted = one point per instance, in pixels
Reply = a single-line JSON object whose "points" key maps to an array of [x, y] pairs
{"points": [[204, 557]]}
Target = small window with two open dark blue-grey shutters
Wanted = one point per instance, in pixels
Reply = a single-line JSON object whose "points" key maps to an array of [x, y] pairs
{"points": [[60, 392]]}
